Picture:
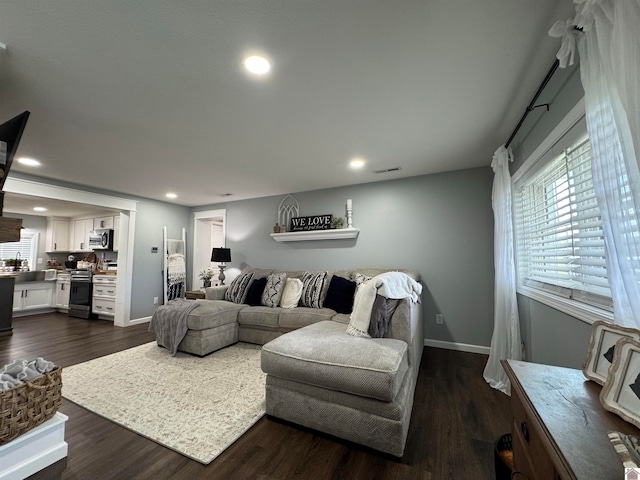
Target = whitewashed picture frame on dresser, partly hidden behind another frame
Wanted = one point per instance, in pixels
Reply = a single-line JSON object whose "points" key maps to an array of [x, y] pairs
{"points": [[601, 348]]}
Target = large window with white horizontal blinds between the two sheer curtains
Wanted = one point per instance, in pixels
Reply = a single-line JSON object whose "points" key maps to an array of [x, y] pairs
{"points": [[559, 236]]}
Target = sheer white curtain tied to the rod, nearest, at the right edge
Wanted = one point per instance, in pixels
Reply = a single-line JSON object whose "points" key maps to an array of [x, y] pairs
{"points": [[609, 49]]}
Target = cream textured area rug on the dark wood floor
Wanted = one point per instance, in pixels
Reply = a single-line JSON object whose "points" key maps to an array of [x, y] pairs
{"points": [[195, 406]]}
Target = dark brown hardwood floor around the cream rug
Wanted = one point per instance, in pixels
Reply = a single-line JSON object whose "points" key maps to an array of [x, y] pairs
{"points": [[456, 418]]}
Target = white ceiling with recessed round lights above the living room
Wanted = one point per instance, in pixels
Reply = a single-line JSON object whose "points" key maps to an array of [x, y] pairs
{"points": [[149, 96]]}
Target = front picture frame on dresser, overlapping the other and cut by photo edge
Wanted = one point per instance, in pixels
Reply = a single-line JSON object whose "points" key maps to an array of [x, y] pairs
{"points": [[621, 392]]}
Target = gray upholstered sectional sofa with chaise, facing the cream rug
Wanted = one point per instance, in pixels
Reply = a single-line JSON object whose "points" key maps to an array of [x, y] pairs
{"points": [[318, 376]]}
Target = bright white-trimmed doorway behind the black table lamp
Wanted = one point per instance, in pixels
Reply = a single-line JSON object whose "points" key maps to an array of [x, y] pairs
{"points": [[209, 230]]}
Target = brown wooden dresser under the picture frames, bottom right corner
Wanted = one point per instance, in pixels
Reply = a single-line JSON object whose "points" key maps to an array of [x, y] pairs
{"points": [[559, 426]]}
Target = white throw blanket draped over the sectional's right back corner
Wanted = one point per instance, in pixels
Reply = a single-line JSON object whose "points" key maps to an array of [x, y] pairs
{"points": [[394, 285]]}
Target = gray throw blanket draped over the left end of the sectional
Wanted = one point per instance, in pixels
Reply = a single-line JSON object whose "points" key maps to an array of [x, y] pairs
{"points": [[169, 322]]}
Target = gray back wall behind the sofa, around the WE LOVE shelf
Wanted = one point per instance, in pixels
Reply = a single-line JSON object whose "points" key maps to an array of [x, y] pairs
{"points": [[440, 225]]}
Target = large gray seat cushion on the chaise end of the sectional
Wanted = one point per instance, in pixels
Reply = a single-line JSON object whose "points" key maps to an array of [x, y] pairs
{"points": [[324, 355]]}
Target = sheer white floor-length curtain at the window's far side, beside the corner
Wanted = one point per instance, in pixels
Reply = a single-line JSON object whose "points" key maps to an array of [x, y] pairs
{"points": [[505, 342]]}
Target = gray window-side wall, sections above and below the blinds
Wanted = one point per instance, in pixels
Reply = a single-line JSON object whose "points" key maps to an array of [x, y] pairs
{"points": [[550, 336]]}
